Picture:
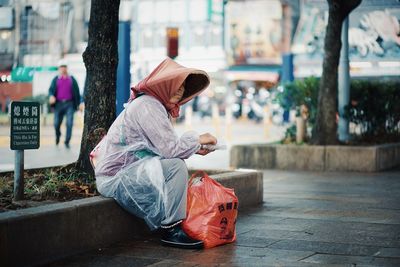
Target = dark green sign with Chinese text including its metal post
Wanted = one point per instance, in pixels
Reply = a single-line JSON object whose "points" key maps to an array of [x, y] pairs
{"points": [[25, 134]]}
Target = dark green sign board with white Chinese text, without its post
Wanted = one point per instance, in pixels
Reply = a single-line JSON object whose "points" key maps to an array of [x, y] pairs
{"points": [[25, 125]]}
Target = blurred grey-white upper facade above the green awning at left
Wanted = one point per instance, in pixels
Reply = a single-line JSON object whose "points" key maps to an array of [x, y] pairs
{"points": [[41, 32]]}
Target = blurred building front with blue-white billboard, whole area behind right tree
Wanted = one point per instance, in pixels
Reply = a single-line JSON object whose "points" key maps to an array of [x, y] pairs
{"points": [[374, 39]]}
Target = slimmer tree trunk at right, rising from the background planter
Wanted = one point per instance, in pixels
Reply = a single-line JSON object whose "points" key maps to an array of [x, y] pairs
{"points": [[326, 125]]}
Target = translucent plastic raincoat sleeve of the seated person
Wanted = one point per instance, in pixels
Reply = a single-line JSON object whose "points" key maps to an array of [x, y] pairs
{"points": [[158, 129]]}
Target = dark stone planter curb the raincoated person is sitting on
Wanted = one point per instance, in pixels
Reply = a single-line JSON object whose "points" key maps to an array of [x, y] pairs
{"points": [[43, 234]]}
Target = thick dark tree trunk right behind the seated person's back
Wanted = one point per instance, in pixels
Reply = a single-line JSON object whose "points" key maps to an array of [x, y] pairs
{"points": [[101, 60]]}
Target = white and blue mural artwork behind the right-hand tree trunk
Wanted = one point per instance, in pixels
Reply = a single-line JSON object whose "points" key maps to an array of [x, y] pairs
{"points": [[374, 36]]}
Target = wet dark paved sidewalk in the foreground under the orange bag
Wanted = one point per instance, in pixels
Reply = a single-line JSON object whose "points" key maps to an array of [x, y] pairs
{"points": [[307, 219]]}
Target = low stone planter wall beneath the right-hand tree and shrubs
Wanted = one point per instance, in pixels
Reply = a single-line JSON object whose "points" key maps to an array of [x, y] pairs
{"points": [[316, 158]]}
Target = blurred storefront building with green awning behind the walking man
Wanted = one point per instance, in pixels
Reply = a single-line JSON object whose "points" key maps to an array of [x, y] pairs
{"points": [[34, 36]]}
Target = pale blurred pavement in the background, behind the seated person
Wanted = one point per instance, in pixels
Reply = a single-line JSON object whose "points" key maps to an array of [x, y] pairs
{"points": [[240, 132]]}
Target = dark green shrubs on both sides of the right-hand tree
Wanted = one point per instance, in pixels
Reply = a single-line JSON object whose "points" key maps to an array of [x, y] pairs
{"points": [[374, 107]]}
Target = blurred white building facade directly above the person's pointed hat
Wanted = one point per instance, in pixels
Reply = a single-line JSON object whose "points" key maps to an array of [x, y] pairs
{"points": [[200, 30]]}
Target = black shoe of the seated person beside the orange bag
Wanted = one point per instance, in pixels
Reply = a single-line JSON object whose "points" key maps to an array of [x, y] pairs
{"points": [[176, 237]]}
